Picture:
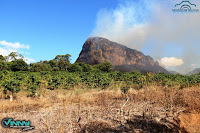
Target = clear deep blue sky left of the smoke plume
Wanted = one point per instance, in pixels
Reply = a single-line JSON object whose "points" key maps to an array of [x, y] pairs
{"points": [[49, 27]]}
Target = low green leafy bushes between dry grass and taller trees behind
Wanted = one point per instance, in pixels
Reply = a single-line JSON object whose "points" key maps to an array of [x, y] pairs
{"points": [[13, 82]]}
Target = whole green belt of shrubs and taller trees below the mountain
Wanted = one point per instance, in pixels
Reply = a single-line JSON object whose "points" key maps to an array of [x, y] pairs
{"points": [[17, 75]]}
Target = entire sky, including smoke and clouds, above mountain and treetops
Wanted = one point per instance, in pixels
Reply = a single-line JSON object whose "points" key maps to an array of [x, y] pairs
{"points": [[42, 29]]}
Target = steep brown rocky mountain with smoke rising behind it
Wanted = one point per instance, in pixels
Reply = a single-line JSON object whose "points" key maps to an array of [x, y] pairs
{"points": [[98, 50]]}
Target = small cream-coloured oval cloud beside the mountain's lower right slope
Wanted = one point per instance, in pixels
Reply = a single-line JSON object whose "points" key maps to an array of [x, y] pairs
{"points": [[170, 62]]}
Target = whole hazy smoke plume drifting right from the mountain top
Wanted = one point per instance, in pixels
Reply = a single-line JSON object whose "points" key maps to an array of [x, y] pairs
{"points": [[152, 25]]}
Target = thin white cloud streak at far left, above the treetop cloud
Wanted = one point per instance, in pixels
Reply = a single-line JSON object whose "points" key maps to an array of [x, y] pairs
{"points": [[14, 45]]}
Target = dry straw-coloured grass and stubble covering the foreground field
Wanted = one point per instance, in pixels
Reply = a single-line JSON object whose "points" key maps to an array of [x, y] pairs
{"points": [[90, 110]]}
